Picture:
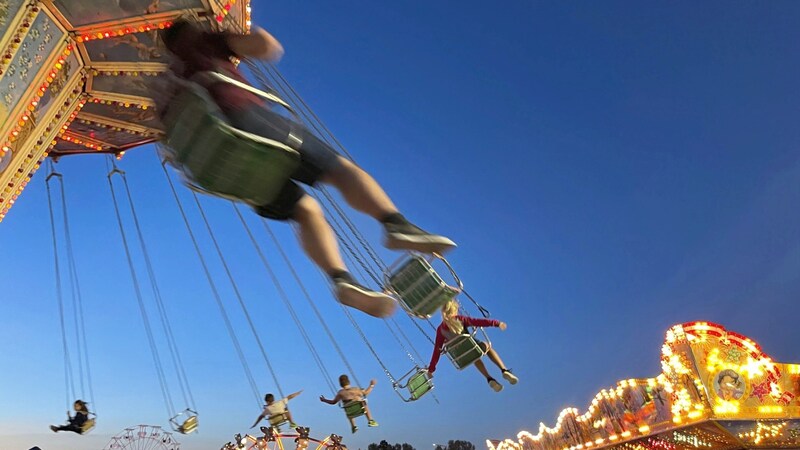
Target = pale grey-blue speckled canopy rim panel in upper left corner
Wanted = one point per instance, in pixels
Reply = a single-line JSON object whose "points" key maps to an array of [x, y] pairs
{"points": [[42, 39]]}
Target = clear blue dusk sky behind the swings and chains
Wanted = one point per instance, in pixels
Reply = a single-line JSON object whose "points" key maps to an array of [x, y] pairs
{"points": [[609, 169]]}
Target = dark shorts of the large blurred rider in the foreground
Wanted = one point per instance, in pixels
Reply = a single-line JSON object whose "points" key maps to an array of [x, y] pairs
{"points": [[316, 157]]}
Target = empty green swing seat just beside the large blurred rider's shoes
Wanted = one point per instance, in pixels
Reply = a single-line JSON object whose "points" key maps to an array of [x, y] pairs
{"points": [[420, 289]]}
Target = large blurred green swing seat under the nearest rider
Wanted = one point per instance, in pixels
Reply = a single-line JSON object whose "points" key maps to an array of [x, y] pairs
{"points": [[219, 159]]}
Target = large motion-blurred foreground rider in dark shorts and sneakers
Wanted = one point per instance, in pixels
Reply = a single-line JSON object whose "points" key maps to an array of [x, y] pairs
{"points": [[200, 51]]}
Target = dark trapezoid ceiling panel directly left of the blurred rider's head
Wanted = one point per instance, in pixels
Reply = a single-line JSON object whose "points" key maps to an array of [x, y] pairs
{"points": [[138, 47]]}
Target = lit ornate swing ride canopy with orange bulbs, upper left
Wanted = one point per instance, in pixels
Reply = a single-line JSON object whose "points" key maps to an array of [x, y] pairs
{"points": [[78, 76]]}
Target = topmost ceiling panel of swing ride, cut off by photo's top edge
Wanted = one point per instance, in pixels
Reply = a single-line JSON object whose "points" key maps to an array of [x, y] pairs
{"points": [[81, 13]]}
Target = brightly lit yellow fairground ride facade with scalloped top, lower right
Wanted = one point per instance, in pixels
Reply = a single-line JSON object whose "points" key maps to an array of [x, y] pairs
{"points": [[718, 390]]}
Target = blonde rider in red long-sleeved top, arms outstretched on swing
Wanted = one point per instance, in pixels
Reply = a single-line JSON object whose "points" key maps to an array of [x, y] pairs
{"points": [[453, 325]]}
